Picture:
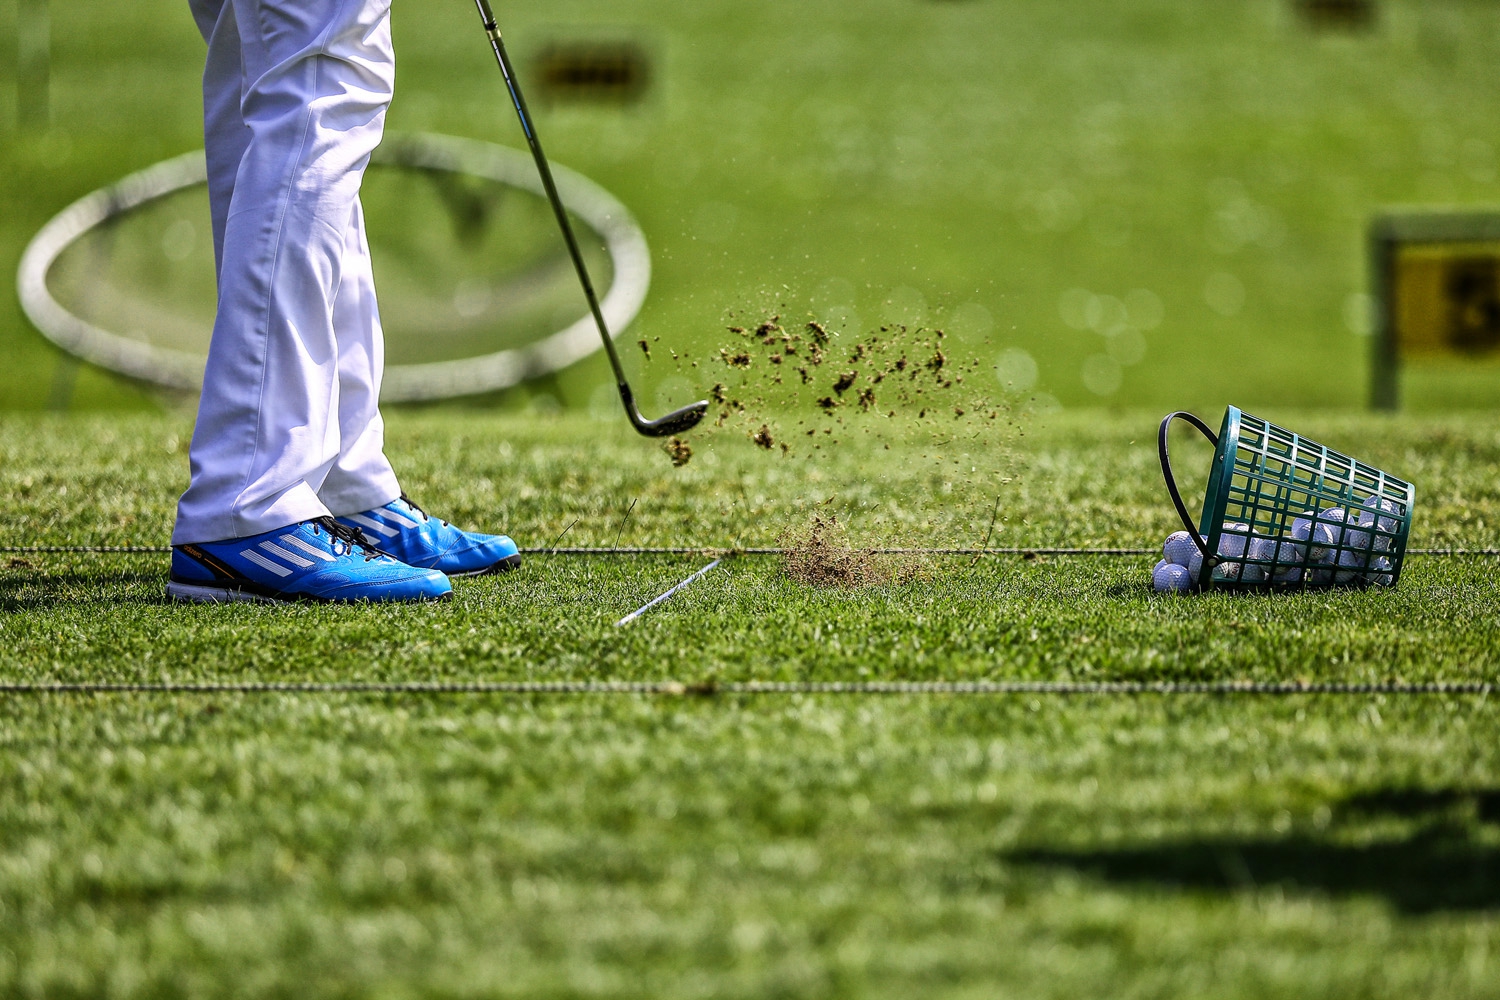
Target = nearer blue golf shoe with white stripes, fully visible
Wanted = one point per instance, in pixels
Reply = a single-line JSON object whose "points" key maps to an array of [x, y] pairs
{"points": [[317, 560]]}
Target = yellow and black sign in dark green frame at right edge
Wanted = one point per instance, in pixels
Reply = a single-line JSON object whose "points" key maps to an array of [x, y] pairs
{"points": [[1436, 283]]}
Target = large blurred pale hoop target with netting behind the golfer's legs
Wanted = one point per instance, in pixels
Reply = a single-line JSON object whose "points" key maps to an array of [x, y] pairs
{"points": [[476, 287]]}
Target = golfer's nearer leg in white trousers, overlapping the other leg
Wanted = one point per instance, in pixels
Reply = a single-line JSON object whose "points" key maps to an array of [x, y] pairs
{"points": [[319, 80]]}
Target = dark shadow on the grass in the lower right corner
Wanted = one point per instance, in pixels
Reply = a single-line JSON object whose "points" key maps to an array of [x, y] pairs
{"points": [[1438, 867]]}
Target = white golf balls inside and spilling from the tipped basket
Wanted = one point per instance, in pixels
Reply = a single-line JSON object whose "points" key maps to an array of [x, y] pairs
{"points": [[1330, 546]]}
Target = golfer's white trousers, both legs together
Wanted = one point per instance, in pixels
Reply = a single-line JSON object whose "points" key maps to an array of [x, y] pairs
{"points": [[289, 425]]}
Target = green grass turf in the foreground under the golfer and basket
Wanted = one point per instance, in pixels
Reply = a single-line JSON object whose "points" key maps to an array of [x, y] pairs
{"points": [[748, 846]]}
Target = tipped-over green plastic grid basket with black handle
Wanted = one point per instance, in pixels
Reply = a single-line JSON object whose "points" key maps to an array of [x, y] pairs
{"points": [[1286, 513]]}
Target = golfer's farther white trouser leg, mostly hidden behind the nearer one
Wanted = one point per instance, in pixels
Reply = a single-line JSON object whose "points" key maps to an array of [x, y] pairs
{"points": [[361, 478]]}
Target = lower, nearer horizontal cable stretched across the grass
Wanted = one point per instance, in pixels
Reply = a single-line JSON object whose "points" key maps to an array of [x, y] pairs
{"points": [[710, 689]]}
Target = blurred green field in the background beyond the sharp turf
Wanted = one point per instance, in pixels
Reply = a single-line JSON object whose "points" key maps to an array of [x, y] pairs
{"points": [[1127, 203]]}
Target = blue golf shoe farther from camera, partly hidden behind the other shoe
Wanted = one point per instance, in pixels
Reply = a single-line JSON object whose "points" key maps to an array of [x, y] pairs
{"points": [[409, 533]]}
